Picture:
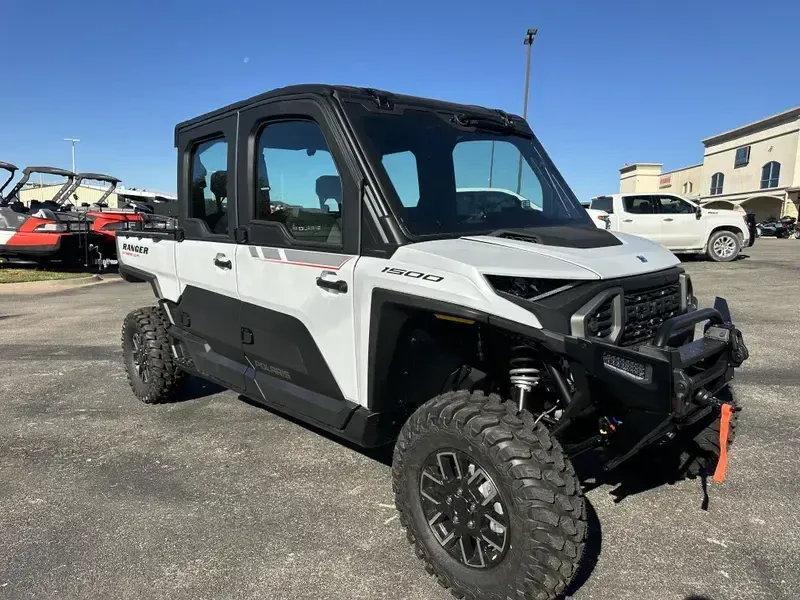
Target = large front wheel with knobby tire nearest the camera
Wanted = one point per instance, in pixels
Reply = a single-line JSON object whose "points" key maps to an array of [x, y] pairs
{"points": [[488, 499]]}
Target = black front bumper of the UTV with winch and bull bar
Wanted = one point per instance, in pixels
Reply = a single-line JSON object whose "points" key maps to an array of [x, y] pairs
{"points": [[674, 375]]}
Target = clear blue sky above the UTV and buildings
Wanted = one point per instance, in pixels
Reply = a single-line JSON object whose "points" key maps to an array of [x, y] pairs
{"points": [[612, 82]]}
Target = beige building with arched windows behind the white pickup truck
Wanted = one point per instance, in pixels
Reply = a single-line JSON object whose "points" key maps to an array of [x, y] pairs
{"points": [[755, 167]]}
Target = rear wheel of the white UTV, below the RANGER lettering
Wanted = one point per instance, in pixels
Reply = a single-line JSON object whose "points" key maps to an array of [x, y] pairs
{"points": [[152, 374]]}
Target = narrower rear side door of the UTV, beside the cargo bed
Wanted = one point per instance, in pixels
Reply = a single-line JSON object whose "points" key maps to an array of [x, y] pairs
{"points": [[209, 306]]}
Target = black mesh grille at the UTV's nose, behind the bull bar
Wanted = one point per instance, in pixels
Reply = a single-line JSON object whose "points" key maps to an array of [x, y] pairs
{"points": [[645, 310]]}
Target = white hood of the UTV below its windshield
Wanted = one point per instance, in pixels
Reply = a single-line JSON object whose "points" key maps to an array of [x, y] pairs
{"points": [[632, 255]]}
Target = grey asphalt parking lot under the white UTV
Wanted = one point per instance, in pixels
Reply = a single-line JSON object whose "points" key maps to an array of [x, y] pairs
{"points": [[102, 497]]}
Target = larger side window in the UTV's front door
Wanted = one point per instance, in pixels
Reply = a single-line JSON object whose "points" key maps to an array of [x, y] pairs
{"points": [[298, 184]]}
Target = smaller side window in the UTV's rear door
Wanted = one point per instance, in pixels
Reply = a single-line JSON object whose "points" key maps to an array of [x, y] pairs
{"points": [[209, 184]]}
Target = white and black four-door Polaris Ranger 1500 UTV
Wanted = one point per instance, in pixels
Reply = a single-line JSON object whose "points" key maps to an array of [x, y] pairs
{"points": [[328, 263]]}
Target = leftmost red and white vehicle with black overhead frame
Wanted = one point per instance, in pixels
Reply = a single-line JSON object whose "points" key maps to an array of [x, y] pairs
{"points": [[42, 231]]}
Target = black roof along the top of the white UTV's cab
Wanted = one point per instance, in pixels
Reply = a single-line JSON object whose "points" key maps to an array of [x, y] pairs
{"points": [[338, 90]]}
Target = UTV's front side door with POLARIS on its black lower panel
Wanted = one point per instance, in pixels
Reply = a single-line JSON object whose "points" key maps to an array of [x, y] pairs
{"points": [[299, 210]]}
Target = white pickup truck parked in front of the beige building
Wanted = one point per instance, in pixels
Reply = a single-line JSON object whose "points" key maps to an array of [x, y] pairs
{"points": [[677, 223]]}
